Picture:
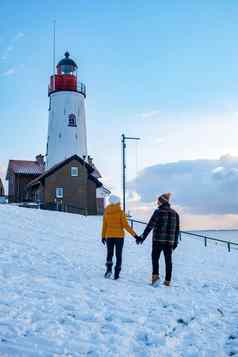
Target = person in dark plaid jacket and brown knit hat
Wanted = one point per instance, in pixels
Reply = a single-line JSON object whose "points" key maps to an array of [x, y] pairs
{"points": [[165, 225]]}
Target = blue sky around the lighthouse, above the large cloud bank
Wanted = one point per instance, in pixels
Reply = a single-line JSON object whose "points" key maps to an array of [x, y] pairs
{"points": [[164, 71]]}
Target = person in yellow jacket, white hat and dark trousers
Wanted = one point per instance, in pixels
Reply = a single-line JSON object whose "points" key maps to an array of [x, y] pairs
{"points": [[114, 223]]}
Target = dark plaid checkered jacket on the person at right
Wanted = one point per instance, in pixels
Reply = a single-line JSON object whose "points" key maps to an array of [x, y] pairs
{"points": [[165, 225]]}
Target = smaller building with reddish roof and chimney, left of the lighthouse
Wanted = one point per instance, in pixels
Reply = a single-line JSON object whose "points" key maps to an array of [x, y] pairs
{"points": [[19, 174]]}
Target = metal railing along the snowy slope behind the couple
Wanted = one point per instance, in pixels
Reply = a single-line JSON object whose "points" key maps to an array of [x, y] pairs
{"points": [[205, 238]]}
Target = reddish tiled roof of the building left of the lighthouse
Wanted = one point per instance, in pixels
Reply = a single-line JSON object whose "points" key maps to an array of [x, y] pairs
{"points": [[24, 167]]}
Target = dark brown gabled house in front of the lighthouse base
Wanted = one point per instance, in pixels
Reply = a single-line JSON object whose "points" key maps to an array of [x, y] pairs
{"points": [[68, 186]]}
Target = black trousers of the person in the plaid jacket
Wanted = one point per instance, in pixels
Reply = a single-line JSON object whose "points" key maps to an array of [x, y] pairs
{"points": [[157, 248]]}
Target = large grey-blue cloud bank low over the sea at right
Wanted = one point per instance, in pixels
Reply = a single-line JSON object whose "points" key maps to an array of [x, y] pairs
{"points": [[199, 186]]}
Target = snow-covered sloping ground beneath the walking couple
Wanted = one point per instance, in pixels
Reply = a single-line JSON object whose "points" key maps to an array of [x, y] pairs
{"points": [[54, 300]]}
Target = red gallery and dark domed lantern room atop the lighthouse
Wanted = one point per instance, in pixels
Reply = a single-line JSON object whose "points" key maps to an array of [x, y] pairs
{"points": [[66, 77]]}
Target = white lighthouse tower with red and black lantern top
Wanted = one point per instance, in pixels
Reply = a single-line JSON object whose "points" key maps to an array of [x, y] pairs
{"points": [[67, 121]]}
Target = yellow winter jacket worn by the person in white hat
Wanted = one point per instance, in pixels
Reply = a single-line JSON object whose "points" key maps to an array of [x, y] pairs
{"points": [[114, 223]]}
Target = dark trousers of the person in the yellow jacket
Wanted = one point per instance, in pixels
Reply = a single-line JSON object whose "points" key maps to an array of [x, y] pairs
{"points": [[114, 244]]}
